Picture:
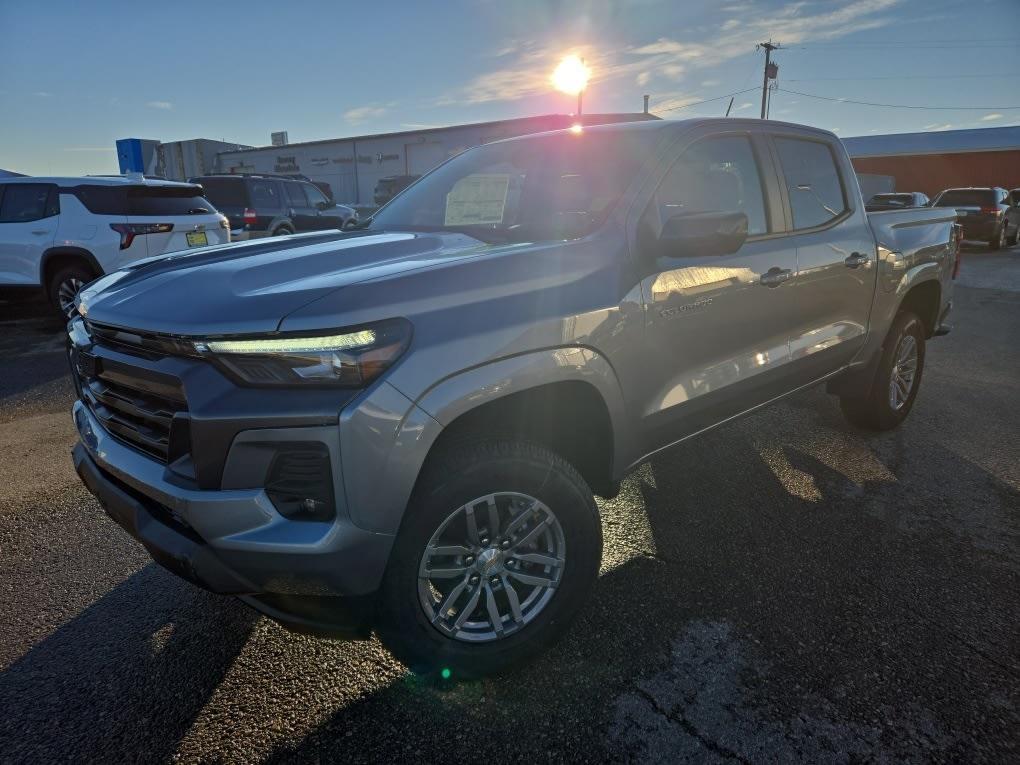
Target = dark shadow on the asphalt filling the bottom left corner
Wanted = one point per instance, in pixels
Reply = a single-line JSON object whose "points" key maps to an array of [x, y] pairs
{"points": [[126, 679]]}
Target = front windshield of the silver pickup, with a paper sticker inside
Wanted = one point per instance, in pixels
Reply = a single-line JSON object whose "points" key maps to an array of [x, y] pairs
{"points": [[554, 187]]}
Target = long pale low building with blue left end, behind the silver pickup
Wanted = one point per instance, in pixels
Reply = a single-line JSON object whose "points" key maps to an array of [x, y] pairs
{"points": [[351, 167]]}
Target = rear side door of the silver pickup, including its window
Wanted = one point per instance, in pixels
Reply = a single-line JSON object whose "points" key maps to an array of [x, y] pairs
{"points": [[837, 258]]}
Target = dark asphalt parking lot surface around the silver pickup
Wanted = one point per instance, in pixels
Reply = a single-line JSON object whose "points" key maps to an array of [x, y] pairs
{"points": [[782, 590]]}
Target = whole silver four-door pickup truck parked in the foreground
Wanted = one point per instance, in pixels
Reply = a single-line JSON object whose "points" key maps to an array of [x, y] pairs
{"points": [[402, 427]]}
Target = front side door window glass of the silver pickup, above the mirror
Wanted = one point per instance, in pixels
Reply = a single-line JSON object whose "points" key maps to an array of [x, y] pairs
{"points": [[718, 175]]}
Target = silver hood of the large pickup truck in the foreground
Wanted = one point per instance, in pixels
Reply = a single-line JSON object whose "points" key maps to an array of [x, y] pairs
{"points": [[250, 288]]}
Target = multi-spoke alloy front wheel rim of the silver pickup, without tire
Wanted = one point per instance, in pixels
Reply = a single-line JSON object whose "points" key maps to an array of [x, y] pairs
{"points": [[492, 568]]}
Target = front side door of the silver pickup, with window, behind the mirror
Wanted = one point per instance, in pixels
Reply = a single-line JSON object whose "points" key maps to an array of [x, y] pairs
{"points": [[719, 327]]}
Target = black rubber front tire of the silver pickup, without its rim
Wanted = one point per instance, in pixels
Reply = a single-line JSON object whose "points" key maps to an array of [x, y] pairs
{"points": [[460, 477]]}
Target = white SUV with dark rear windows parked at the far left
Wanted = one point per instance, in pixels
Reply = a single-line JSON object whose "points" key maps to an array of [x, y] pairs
{"points": [[59, 234]]}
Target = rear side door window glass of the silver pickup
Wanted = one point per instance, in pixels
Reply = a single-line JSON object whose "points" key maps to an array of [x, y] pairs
{"points": [[813, 182]]}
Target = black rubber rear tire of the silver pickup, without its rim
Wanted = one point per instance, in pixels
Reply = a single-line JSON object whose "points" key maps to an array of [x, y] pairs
{"points": [[876, 411]]}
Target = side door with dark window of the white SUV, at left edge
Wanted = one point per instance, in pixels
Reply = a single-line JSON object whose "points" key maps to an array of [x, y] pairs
{"points": [[28, 228]]}
